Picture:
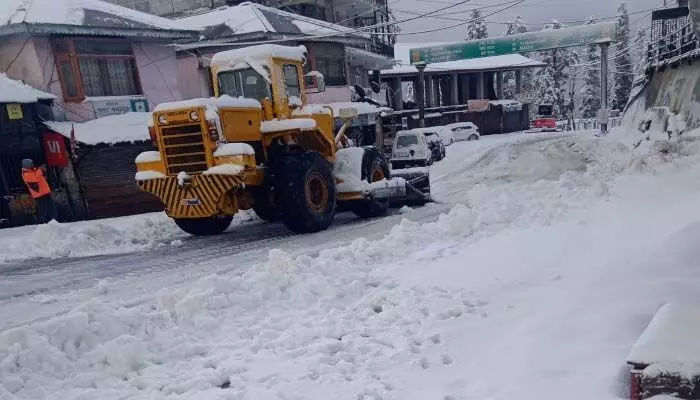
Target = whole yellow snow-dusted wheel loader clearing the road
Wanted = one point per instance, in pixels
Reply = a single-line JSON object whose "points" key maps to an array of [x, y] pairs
{"points": [[257, 144]]}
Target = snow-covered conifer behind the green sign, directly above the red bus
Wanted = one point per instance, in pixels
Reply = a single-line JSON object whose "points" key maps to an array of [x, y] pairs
{"points": [[552, 80]]}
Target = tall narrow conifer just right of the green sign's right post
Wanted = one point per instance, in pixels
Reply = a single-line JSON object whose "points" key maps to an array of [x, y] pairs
{"points": [[622, 76]]}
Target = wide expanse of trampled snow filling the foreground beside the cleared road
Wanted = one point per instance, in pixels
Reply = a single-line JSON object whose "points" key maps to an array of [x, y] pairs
{"points": [[535, 285]]}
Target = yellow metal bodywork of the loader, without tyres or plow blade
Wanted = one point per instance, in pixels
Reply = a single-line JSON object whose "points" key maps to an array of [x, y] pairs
{"points": [[185, 145]]}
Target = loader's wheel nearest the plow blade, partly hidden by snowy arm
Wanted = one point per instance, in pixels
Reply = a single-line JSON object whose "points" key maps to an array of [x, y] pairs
{"points": [[374, 168]]}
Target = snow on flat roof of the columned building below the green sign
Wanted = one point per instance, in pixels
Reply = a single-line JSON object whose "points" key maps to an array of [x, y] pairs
{"points": [[474, 64]]}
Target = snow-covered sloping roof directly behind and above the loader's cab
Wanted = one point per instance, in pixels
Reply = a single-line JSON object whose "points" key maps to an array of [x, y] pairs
{"points": [[250, 17]]}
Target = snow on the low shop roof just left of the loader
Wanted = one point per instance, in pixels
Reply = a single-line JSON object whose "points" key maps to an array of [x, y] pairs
{"points": [[129, 127]]}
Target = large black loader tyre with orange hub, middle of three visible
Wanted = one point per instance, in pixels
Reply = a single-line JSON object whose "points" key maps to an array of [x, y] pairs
{"points": [[305, 191]]}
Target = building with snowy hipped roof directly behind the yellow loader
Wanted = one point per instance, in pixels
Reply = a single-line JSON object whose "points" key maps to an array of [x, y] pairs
{"points": [[344, 56]]}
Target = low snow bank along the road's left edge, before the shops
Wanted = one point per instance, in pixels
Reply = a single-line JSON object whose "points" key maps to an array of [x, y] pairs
{"points": [[111, 236]]}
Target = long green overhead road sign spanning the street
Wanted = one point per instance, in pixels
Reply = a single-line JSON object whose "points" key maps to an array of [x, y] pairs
{"points": [[523, 43]]}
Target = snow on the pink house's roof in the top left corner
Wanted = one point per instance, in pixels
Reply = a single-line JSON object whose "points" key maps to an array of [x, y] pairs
{"points": [[89, 13]]}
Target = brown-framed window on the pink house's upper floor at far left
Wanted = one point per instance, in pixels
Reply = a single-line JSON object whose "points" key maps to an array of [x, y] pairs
{"points": [[95, 67]]}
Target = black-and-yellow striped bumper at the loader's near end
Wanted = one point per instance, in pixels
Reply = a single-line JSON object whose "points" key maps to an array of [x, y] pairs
{"points": [[201, 196]]}
